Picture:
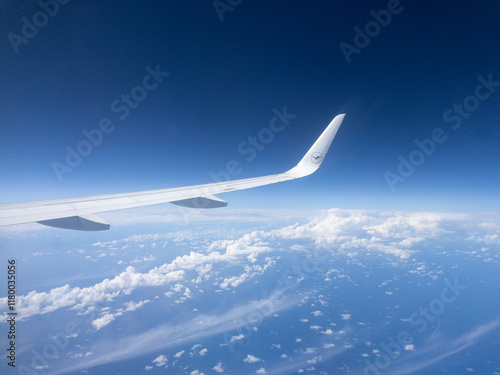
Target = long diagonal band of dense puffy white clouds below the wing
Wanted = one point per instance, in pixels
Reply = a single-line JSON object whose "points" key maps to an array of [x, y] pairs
{"points": [[343, 231]]}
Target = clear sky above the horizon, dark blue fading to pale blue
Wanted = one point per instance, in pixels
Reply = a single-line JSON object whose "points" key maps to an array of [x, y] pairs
{"points": [[226, 77]]}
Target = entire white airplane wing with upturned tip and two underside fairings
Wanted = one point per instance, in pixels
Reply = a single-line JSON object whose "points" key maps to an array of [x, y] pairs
{"points": [[79, 213]]}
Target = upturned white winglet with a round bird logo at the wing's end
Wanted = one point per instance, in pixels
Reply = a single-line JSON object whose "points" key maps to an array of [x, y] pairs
{"points": [[314, 157]]}
